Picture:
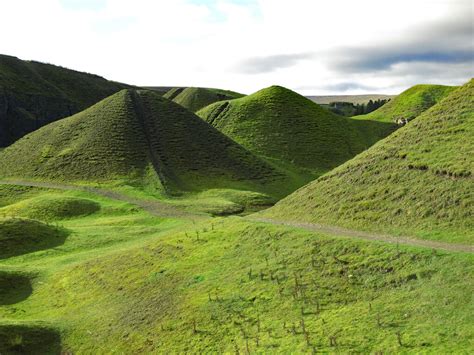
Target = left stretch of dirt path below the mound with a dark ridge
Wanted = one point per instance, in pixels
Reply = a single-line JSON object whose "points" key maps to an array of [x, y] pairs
{"points": [[153, 207]]}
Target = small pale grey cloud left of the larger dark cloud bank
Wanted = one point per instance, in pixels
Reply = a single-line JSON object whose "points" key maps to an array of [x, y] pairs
{"points": [[271, 63]]}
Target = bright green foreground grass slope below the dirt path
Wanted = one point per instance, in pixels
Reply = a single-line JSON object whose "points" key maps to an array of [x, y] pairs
{"points": [[228, 285]]}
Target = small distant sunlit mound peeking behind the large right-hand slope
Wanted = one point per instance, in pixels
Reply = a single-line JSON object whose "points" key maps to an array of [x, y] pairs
{"points": [[409, 104]]}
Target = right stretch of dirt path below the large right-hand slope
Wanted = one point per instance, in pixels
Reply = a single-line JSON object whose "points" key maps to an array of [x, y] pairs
{"points": [[339, 231]]}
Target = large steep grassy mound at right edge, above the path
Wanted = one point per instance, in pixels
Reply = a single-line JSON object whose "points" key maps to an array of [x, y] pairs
{"points": [[418, 180]]}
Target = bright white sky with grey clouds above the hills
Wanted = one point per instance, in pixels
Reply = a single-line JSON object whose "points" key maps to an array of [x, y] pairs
{"points": [[315, 47]]}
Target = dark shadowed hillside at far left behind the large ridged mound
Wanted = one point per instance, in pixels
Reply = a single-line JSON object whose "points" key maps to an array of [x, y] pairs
{"points": [[33, 94]]}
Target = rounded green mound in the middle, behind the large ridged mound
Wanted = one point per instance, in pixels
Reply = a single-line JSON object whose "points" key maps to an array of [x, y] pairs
{"points": [[280, 124]]}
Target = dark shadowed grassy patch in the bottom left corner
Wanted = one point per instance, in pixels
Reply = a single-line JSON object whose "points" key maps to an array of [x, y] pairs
{"points": [[28, 339]]}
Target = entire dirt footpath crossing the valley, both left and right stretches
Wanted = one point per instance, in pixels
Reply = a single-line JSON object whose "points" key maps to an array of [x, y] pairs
{"points": [[161, 209]]}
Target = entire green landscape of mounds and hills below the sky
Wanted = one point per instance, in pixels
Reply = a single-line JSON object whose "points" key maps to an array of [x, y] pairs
{"points": [[201, 220]]}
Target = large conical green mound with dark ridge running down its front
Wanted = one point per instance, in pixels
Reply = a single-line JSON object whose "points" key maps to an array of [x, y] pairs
{"points": [[140, 138]]}
